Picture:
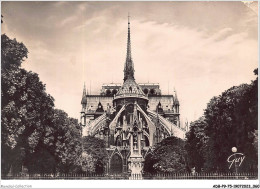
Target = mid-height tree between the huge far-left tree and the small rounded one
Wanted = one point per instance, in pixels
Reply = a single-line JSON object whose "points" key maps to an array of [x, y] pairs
{"points": [[66, 140]]}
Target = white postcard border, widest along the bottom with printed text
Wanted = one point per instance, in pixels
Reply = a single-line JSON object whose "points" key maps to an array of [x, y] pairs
{"points": [[131, 183]]}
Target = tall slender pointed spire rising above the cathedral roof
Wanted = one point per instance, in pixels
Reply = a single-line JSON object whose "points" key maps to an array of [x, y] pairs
{"points": [[129, 65]]}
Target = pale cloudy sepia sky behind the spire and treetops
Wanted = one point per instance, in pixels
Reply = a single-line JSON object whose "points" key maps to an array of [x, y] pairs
{"points": [[199, 48]]}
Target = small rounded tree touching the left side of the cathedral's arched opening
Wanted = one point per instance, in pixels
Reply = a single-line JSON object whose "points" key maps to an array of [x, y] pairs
{"points": [[96, 148]]}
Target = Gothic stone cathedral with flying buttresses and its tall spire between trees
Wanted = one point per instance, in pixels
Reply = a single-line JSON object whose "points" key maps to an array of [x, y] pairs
{"points": [[131, 118]]}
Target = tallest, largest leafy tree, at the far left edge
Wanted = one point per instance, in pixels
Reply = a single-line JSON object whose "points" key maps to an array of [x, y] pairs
{"points": [[23, 101]]}
